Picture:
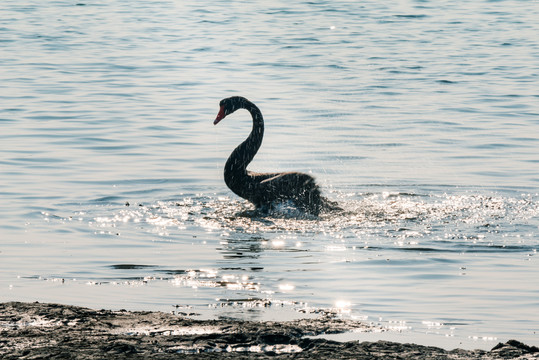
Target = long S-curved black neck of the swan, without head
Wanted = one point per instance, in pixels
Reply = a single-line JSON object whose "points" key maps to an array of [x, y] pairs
{"points": [[236, 176]]}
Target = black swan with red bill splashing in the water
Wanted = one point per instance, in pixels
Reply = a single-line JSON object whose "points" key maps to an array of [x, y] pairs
{"points": [[265, 189]]}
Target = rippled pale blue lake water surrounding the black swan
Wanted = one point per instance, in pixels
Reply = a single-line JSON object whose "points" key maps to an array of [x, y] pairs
{"points": [[420, 118]]}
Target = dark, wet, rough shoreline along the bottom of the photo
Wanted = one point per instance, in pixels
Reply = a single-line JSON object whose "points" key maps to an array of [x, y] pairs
{"points": [[53, 331]]}
